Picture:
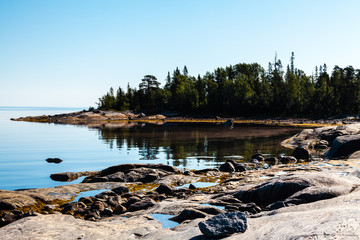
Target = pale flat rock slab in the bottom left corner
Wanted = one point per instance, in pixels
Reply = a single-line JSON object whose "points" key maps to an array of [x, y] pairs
{"points": [[58, 226]]}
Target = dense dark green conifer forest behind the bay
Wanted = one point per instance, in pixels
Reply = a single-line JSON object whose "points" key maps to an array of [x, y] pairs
{"points": [[245, 90]]}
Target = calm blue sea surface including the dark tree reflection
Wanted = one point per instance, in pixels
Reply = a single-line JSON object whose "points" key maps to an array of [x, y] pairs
{"points": [[24, 146]]}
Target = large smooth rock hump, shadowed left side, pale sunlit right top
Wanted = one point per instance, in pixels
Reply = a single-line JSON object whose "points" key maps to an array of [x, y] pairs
{"points": [[297, 189]]}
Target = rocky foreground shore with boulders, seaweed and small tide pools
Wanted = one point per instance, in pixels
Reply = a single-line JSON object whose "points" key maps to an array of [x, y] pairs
{"points": [[313, 194]]}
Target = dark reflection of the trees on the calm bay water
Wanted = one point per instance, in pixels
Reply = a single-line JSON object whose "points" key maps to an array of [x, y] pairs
{"points": [[202, 142]]}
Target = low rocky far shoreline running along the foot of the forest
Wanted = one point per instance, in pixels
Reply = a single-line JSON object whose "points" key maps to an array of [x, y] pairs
{"points": [[97, 118]]}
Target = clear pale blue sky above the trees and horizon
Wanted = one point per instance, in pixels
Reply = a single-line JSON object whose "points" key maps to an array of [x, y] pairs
{"points": [[69, 53]]}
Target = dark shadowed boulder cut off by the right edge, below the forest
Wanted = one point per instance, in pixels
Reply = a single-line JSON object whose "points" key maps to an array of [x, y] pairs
{"points": [[343, 146]]}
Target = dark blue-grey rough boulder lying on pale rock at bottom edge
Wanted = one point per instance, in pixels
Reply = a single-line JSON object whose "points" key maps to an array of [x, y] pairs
{"points": [[224, 224]]}
